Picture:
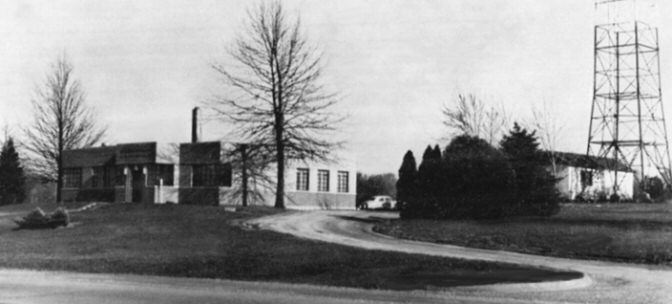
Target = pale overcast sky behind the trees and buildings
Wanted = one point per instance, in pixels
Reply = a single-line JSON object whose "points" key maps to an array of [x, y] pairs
{"points": [[145, 64]]}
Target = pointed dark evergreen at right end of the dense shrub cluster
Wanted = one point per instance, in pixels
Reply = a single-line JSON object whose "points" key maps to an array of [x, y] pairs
{"points": [[537, 194]]}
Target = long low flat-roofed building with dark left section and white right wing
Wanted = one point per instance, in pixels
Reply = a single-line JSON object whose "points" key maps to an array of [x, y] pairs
{"points": [[198, 173]]}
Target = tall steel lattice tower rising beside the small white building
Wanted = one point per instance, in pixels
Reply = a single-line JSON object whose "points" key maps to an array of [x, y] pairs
{"points": [[627, 123]]}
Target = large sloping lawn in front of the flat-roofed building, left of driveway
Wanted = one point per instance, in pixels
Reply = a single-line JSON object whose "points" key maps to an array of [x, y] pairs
{"points": [[200, 241]]}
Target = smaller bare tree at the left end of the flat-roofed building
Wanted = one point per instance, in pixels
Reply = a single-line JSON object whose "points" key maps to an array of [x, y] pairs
{"points": [[62, 121]]}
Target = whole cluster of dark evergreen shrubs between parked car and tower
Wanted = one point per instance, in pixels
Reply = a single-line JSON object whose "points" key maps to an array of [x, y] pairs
{"points": [[472, 179]]}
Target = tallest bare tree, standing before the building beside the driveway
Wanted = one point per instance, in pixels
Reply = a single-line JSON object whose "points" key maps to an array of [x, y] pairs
{"points": [[275, 97]]}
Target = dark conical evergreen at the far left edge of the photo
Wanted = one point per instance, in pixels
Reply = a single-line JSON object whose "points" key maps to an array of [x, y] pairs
{"points": [[12, 177]]}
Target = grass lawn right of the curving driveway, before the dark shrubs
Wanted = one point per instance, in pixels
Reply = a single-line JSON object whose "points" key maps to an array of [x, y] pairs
{"points": [[637, 233]]}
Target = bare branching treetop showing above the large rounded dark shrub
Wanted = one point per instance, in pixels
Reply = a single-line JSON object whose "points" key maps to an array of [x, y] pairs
{"points": [[471, 116]]}
